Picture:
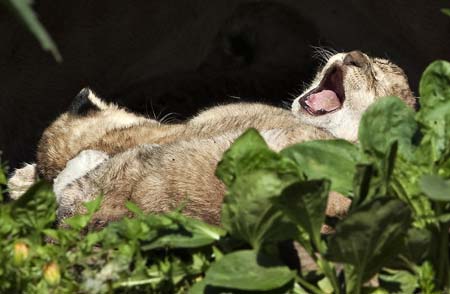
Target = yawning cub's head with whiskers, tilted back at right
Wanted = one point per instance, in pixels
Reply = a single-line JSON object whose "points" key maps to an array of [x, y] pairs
{"points": [[345, 87]]}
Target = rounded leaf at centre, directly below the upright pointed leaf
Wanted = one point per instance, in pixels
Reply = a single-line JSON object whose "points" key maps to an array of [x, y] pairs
{"points": [[249, 212]]}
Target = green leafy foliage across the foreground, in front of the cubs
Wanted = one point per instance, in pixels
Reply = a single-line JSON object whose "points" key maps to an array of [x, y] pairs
{"points": [[396, 232]]}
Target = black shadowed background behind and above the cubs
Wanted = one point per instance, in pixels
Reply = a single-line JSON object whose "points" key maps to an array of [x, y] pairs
{"points": [[160, 57]]}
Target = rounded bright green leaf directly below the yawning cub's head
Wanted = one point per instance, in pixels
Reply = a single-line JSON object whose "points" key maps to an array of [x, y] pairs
{"points": [[384, 122]]}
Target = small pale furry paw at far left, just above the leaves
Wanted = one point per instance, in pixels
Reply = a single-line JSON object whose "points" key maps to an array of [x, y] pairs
{"points": [[22, 179]]}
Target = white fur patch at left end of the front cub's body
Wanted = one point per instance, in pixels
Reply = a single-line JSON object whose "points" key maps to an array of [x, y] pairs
{"points": [[76, 168]]}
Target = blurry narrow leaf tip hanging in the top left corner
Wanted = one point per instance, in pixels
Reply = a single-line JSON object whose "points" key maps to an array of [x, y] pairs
{"points": [[23, 9]]}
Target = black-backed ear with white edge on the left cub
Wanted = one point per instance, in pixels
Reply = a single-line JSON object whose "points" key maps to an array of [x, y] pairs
{"points": [[86, 101]]}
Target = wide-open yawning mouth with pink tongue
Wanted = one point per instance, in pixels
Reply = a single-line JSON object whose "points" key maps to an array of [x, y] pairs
{"points": [[329, 96]]}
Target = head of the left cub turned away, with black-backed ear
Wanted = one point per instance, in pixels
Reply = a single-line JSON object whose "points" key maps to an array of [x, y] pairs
{"points": [[87, 120]]}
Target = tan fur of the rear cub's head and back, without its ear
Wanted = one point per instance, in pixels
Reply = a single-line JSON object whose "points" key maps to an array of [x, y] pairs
{"points": [[113, 130]]}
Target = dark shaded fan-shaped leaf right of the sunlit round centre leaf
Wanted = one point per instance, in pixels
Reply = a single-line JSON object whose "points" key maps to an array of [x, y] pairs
{"points": [[305, 204]]}
